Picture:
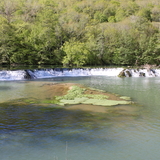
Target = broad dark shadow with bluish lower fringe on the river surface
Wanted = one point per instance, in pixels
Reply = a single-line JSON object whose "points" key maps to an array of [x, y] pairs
{"points": [[32, 124]]}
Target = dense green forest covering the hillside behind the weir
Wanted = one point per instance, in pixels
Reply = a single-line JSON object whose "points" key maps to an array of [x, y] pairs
{"points": [[80, 32]]}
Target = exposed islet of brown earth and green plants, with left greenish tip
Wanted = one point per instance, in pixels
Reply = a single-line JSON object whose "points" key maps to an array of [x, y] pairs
{"points": [[74, 94]]}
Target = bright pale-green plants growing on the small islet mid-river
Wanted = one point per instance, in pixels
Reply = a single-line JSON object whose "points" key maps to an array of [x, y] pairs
{"points": [[79, 95]]}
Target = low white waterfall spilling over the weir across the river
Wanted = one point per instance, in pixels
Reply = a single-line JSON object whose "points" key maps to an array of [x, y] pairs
{"points": [[7, 75]]}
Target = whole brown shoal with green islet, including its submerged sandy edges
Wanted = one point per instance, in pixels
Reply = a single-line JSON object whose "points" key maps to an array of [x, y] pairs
{"points": [[71, 96]]}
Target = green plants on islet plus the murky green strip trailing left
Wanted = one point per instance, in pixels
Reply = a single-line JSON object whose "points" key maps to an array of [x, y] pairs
{"points": [[78, 95]]}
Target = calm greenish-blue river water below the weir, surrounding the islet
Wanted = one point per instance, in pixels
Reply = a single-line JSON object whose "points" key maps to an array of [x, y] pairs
{"points": [[37, 132]]}
